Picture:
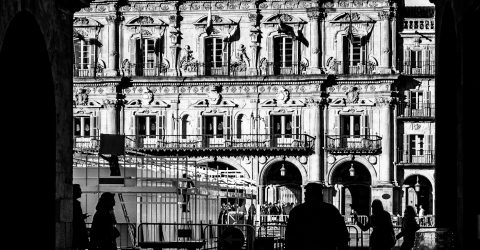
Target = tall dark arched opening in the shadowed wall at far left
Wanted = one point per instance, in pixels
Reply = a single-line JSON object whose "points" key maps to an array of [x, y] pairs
{"points": [[32, 149]]}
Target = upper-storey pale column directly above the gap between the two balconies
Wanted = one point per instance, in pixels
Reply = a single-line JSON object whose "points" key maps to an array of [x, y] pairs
{"points": [[314, 15]]}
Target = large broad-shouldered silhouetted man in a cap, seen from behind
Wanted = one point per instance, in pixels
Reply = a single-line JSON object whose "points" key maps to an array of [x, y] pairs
{"points": [[315, 224]]}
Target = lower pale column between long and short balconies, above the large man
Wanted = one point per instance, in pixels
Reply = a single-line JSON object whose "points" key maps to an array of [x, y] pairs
{"points": [[315, 171]]}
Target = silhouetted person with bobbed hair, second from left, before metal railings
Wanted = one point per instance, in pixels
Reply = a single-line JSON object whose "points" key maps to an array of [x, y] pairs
{"points": [[104, 232]]}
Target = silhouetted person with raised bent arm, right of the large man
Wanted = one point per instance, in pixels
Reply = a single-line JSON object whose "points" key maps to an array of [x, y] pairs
{"points": [[382, 236]]}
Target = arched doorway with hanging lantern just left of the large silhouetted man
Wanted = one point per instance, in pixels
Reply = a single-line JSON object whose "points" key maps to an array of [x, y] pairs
{"points": [[282, 183]]}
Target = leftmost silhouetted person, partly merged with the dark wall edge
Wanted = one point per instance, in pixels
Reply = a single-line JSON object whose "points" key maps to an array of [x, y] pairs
{"points": [[80, 235]]}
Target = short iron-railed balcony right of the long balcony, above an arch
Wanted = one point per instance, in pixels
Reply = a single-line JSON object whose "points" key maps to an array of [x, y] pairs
{"points": [[357, 144]]}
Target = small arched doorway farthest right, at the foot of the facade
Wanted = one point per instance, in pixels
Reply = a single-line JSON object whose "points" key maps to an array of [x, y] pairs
{"points": [[418, 194]]}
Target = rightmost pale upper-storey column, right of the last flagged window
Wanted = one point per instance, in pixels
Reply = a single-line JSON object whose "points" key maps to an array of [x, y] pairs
{"points": [[385, 50]]}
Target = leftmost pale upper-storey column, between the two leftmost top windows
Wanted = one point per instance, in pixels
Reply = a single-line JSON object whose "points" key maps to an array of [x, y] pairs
{"points": [[112, 66]]}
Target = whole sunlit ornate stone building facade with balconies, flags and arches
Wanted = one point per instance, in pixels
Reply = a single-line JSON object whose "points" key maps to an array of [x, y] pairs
{"points": [[285, 92]]}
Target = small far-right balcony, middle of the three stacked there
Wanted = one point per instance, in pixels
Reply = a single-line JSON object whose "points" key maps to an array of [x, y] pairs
{"points": [[418, 111]]}
